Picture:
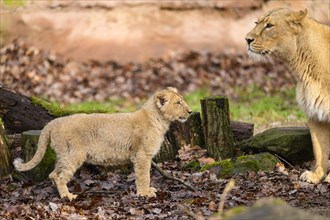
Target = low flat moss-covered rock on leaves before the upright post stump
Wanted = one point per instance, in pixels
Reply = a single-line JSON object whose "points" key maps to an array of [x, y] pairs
{"points": [[247, 163]]}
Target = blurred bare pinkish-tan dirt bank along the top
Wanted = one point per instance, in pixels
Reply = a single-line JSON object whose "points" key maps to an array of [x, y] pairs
{"points": [[126, 31]]}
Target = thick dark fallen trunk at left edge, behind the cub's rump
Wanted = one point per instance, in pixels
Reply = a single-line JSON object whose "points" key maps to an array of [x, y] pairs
{"points": [[19, 114]]}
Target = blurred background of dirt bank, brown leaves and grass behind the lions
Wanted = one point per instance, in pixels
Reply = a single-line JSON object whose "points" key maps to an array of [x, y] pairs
{"points": [[111, 54]]}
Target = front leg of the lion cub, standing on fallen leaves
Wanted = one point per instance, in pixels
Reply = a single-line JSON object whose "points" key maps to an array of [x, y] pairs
{"points": [[142, 164]]}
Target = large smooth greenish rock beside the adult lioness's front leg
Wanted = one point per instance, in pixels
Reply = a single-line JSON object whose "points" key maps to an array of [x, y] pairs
{"points": [[291, 143]]}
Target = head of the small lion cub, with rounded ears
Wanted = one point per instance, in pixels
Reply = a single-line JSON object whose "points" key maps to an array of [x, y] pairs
{"points": [[171, 105]]}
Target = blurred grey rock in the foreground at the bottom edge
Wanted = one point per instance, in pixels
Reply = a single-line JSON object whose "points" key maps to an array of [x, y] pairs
{"points": [[268, 208]]}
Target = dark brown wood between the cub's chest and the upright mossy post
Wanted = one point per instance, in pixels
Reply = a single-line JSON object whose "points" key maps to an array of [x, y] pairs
{"points": [[181, 134]]}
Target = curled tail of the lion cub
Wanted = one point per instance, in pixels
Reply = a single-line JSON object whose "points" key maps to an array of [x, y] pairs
{"points": [[42, 146]]}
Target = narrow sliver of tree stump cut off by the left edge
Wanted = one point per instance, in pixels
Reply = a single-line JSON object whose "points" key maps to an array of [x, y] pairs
{"points": [[4, 155]]}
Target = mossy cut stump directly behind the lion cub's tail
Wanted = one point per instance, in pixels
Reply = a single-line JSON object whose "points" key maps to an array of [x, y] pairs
{"points": [[29, 147]]}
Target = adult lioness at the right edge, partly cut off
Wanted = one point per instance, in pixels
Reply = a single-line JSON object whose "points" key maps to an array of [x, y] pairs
{"points": [[304, 44]]}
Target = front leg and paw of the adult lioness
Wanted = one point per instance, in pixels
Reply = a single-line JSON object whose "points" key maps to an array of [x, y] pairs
{"points": [[321, 147]]}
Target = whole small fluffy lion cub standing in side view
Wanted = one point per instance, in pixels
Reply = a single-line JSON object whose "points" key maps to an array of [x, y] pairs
{"points": [[110, 139]]}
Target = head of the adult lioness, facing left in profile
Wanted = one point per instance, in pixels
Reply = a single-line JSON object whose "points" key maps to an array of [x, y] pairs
{"points": [[275, 34]]}
